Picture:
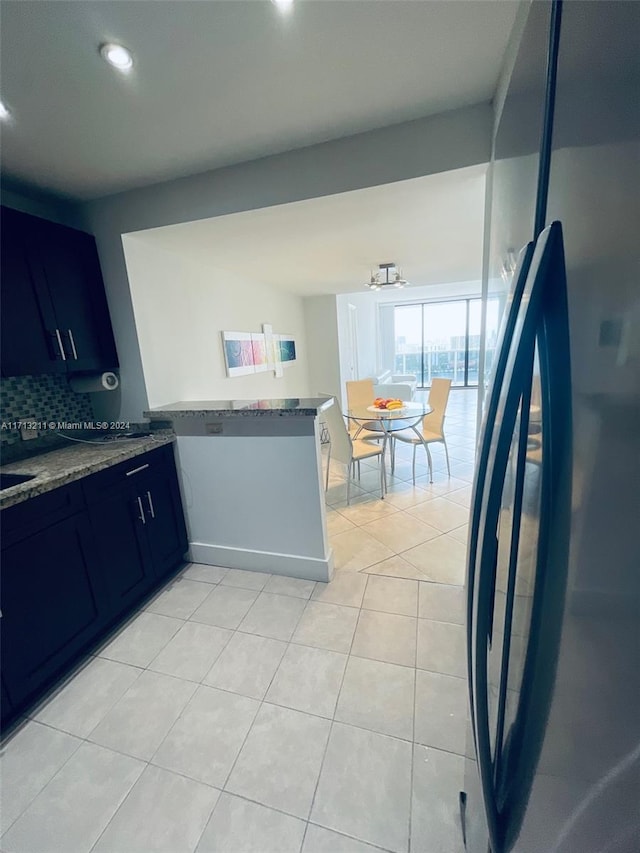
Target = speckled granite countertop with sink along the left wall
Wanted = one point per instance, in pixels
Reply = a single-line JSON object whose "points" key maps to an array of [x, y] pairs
{"points": [[67, 464]]}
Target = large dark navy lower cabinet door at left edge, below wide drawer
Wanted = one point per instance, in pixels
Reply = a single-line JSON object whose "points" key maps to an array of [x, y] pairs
{"points": [[52, 605]]}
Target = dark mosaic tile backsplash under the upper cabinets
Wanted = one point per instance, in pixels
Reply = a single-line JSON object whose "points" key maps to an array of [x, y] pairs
{"points": [[46, 398]]}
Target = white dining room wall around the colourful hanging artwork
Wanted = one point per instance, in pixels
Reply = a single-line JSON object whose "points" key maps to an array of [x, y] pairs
{"points": [[181, 306]]}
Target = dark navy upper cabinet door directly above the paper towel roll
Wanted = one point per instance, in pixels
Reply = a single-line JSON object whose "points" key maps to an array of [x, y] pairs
{"points": [[71, 271]]}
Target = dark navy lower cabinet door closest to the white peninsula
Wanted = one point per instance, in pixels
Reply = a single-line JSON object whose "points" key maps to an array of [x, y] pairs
{"points": [[166, 529]]}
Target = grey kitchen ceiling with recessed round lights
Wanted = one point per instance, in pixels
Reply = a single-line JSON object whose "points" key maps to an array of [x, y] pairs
{"points": [[216, 83]]}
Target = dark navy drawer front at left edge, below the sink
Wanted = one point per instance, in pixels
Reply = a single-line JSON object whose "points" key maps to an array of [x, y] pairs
{"points": [[29, 517]]}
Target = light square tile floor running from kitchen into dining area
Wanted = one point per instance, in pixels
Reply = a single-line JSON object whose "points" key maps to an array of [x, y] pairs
{"points": [[247, 713]]}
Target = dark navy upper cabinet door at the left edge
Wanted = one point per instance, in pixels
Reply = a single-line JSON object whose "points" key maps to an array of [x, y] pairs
{"points": [[27, 346]]}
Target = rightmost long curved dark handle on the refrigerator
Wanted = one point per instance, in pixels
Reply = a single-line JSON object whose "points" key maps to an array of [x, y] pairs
{"points": [[538, 680]]}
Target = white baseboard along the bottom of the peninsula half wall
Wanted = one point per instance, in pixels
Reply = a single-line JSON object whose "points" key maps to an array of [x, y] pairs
{"points": [[290, 565]]}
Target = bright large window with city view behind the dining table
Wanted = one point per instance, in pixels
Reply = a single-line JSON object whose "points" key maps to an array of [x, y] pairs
{"points": [[442, 339]]}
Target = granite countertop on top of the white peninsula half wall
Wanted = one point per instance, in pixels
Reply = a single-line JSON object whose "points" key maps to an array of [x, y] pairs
{"points": [[284, 407]]}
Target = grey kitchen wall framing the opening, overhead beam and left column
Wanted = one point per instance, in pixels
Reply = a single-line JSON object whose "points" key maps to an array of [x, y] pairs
{"points": [[426, 146]]}
